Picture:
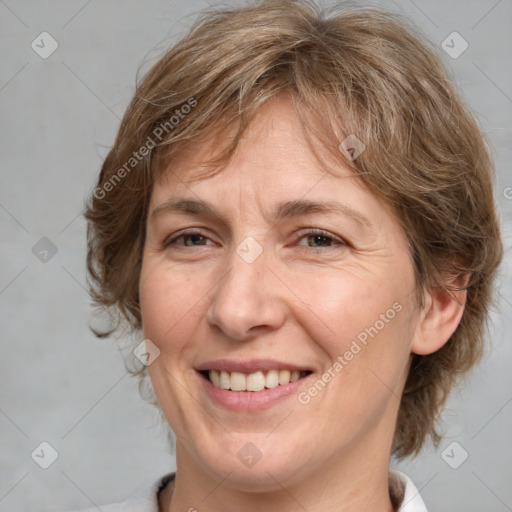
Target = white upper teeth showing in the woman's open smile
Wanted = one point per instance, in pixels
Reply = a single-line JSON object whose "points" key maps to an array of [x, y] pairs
{"points": [[256, 381]]}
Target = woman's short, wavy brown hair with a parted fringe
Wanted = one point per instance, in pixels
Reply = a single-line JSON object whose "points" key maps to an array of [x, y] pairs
{"points": [[351, 72]]}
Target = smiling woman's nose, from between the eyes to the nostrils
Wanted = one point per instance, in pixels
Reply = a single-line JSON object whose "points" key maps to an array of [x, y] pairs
{"points": [[248, 299]]}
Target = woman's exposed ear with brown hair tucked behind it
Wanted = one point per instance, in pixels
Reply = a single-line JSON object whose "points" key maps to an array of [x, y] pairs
{"points": [[440, 316]]}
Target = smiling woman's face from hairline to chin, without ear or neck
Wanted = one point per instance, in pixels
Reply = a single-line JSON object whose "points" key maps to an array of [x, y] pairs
{"points": [[250, 279]]}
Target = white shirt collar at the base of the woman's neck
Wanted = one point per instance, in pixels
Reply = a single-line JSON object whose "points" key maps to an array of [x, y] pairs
{"points": [[146, 500]]}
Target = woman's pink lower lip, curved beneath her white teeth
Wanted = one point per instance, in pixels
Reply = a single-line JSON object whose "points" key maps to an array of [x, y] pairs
{"points": [[251, 400]]}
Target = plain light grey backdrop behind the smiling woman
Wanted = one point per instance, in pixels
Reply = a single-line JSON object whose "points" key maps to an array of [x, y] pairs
{"points": [[61, 385]]}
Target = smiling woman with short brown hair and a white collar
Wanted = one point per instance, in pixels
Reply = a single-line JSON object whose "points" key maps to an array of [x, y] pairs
{"points": [[297, 216]]}
